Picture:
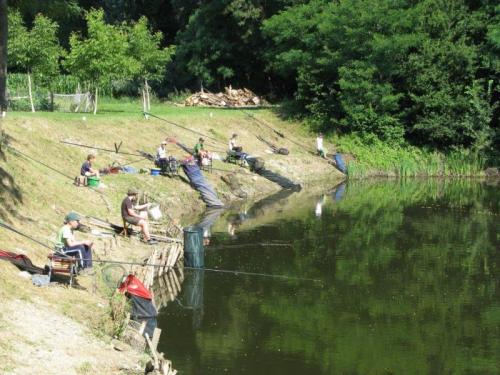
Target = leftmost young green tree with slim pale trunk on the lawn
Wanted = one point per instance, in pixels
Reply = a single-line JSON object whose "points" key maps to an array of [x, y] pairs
{"points": [[36, 51]]}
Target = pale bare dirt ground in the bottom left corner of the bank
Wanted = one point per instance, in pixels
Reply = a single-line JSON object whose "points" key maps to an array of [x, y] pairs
{"points": [[34, 339]]}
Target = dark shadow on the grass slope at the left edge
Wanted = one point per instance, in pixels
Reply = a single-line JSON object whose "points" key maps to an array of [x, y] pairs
{"points": [[10, 193]]}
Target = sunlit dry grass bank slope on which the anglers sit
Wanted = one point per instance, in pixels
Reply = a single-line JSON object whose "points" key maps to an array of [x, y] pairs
{"points": [[37, 172]]}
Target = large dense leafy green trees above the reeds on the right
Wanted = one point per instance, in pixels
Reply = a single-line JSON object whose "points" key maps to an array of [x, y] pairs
{"points": [[391, 68]]}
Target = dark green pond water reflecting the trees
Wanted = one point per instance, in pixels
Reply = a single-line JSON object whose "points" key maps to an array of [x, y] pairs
{"points": [[409, 283]]}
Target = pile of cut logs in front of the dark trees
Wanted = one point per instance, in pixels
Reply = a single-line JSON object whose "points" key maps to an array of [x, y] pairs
{"points": [[229, 98]]}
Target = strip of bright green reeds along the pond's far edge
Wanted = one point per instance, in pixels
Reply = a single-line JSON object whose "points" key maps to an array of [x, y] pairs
{"points": [[380, 159]]}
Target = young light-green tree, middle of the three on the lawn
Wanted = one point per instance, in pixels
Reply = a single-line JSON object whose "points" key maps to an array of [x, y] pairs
{"points": [[101, 57]]}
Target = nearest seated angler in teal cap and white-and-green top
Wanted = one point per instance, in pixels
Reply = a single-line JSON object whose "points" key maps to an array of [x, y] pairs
{"points": [[67, 244]]}
